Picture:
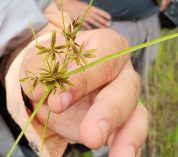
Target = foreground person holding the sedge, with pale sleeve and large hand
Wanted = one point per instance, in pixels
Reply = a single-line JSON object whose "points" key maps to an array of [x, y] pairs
{"points": [[99, 120]]}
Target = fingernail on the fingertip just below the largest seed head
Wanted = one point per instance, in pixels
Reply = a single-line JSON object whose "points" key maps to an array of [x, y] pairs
{"points": [[66, 99]]}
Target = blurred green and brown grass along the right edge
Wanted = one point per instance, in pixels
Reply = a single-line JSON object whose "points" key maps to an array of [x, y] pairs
{"points": [[162, 102]]}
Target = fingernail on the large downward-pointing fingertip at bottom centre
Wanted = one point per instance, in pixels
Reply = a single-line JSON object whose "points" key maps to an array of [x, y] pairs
{"points": [[104, 127]]}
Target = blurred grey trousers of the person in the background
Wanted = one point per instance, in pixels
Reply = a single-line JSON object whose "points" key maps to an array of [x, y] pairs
{"points": [[138, 32]]}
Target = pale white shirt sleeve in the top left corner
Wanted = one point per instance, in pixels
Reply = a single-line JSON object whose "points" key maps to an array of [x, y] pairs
{"points": [[15, 19]]}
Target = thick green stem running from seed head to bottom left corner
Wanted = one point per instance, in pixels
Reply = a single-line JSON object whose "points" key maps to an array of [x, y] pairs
{"points": [[28, 122]]}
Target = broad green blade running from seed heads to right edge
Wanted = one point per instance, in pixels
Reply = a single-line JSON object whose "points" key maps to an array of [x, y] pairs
{"points": [[119, 53]]}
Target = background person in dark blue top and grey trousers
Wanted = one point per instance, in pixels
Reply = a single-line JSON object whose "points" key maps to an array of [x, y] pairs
{"points": [[137, 20]]}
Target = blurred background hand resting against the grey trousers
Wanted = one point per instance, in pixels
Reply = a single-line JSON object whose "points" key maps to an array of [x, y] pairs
{"points": [[96, 17]]}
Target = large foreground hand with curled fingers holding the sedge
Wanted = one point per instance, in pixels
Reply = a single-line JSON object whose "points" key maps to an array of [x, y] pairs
{"points": [[103, 101]]}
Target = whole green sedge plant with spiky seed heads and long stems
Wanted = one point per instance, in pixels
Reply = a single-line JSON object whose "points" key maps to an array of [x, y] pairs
{"points": [[56, 74]]}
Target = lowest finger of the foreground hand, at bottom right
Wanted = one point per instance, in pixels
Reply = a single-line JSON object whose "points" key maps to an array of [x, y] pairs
{"points": [[132, 135]]}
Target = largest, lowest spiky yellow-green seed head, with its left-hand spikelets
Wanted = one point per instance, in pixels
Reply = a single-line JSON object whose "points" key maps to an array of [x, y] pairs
{"points": [[52, 77]]}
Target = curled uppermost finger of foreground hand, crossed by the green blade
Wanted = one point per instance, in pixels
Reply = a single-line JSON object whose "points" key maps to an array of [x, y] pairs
{"points": [[93, 78]]}
